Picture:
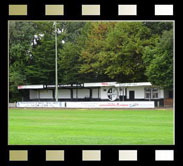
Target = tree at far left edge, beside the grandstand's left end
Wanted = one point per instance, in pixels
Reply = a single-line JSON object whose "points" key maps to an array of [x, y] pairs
{"points": [[21, 35]]}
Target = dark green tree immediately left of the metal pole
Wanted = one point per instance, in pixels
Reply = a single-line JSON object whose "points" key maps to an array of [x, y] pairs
{"points": [[42, 62]]}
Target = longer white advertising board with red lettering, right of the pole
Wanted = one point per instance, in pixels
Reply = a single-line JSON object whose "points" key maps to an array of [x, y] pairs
{"points": [[123, 104]]}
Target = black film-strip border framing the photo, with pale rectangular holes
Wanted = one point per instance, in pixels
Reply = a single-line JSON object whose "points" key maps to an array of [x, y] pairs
{"points": [[109, 153]]}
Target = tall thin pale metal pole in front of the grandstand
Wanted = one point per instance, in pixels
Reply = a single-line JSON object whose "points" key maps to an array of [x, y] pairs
{"points": [[56, 72]]}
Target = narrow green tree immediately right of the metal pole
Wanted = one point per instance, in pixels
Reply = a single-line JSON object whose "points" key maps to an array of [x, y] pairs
{"points": [[68, 55]]}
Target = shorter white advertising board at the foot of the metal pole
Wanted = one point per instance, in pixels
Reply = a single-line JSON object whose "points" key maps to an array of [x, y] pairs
{"points": [[41, 104]]}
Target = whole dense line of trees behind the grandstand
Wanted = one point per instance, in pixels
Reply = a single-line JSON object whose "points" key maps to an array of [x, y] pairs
{"points": [[90, 52]]}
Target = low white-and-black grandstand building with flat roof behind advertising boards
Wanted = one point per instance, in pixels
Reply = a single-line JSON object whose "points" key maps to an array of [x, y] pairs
{"points": [[101, 91]]}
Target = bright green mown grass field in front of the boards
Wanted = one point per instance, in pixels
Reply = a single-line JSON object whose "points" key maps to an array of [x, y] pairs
{"points": [[90, 127]]}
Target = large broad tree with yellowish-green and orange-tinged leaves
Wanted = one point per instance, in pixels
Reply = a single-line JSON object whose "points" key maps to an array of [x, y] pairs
{"points": [[115, 50]]}
